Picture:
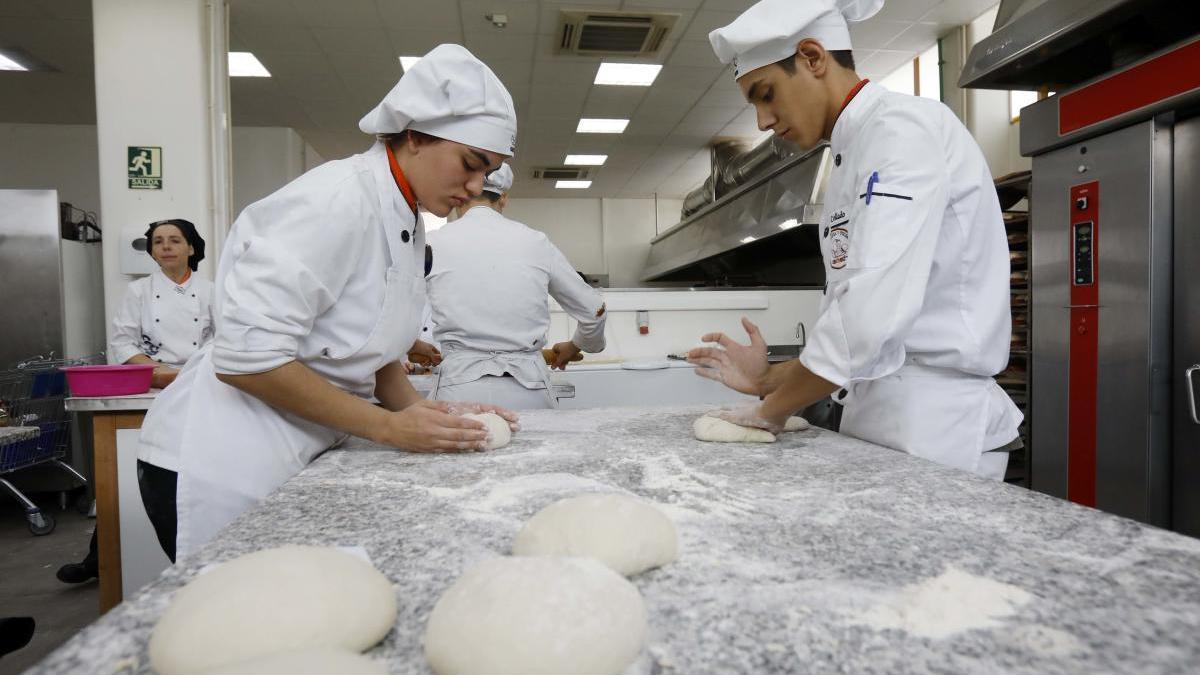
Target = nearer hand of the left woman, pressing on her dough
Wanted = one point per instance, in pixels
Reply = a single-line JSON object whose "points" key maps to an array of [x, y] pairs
{"points": [[434, 427]]}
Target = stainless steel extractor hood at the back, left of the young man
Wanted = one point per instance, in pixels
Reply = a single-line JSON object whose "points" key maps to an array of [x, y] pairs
{"points": [[763, 234]]}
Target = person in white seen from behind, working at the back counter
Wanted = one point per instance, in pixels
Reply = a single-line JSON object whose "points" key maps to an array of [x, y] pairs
{"points": [[488, 292]]}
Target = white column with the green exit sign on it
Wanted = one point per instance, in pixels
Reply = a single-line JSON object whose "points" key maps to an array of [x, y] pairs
{"points": [[161, 83]]}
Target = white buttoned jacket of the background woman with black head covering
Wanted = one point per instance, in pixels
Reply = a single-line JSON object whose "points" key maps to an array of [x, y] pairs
{"points": [[163, 320]]}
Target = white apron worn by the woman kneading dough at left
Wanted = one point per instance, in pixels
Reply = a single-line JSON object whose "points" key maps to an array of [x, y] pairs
{"points": [[238, 450]]}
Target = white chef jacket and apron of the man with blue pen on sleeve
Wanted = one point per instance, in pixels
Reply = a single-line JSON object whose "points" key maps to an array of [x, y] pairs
{"points": [[915, 321]]}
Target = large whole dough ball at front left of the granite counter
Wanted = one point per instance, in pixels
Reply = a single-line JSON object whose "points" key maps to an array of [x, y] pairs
{"points": [[271, 602]]}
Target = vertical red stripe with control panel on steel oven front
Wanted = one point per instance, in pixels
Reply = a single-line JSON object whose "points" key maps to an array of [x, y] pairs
{"points": [[1084, 360]]}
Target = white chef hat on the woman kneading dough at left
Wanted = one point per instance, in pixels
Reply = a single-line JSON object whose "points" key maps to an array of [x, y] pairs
{"points": [[453, 95]]}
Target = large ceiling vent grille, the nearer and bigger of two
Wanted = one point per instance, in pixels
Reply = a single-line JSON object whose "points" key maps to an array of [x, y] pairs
{"points": [[625, 34]]}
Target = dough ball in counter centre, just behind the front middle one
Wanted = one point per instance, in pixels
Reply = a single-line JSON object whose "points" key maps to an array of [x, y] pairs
{"points": [[627, 534]]}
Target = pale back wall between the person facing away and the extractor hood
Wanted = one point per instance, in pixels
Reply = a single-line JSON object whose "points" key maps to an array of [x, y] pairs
{"points": [[601, 236]]}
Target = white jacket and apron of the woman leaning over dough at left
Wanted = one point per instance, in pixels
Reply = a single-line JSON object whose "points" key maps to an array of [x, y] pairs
{"points": [[327, 272]]}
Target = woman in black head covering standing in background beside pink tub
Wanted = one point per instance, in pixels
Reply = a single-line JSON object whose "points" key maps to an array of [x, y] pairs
{"points": [[167, 316]]}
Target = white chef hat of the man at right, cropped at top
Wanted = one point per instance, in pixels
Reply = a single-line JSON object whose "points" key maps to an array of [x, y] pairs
{"points": [[770, 31]]}
